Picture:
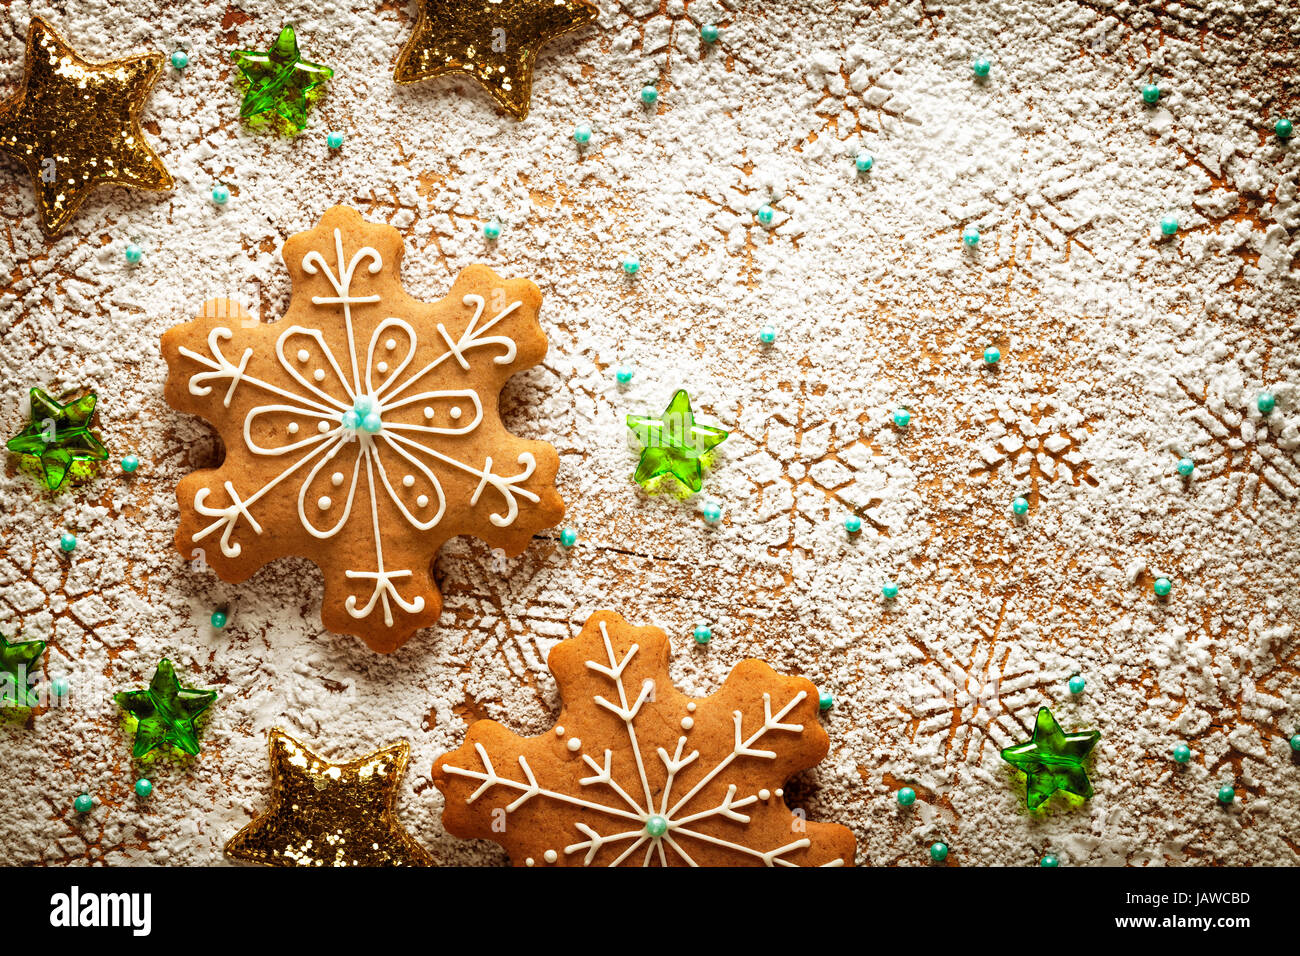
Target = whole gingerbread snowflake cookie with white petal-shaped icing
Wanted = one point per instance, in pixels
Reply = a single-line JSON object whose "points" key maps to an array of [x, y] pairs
{"points": [[362, 430]]}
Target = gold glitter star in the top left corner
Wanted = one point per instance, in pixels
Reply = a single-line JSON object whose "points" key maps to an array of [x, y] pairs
{"points": [[77, 126]]}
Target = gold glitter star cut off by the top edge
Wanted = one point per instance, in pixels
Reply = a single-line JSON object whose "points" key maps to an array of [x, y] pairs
{"points": [[493, 41]]}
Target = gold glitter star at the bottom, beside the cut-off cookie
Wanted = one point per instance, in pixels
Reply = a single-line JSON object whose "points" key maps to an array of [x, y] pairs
{"points": [[330, 815]]}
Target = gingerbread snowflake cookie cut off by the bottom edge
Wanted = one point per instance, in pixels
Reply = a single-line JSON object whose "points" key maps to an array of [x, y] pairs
{"points": [[639, 773]]}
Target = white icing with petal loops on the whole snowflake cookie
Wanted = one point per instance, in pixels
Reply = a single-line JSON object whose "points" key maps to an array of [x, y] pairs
{"points": [[332, 442]]}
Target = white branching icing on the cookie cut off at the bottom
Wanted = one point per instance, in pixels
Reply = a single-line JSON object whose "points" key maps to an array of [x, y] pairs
{"points": [[631, 812]]}
